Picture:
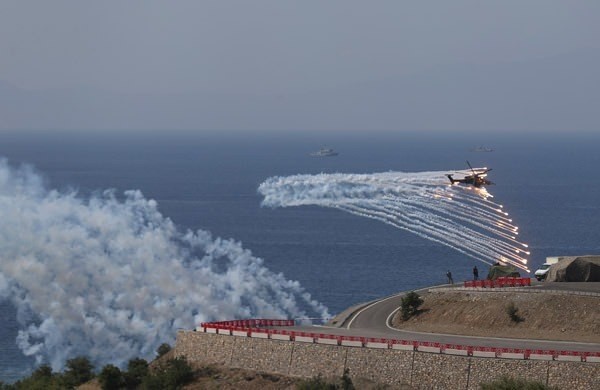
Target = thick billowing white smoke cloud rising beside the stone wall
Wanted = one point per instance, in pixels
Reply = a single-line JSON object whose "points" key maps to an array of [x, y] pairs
{"points": [[113, 279]]}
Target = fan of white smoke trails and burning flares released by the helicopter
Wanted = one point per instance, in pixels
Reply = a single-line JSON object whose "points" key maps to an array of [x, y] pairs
{"points": [[424, 203]]}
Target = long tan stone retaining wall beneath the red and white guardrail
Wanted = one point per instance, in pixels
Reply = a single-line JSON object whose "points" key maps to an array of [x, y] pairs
{"points": [[389, 366]]}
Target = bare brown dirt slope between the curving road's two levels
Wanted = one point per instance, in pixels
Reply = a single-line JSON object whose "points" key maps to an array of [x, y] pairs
{"points": [[545, 316]]}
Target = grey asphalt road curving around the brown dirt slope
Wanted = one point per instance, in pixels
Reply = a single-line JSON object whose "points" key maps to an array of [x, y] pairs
{"points": [[372, 320]]}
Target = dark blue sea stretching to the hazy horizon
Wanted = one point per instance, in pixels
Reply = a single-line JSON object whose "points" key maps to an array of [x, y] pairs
{"points": [[549, 182]]}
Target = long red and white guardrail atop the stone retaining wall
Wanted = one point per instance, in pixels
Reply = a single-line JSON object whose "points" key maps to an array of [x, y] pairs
{"points": [[264, 328]]}
